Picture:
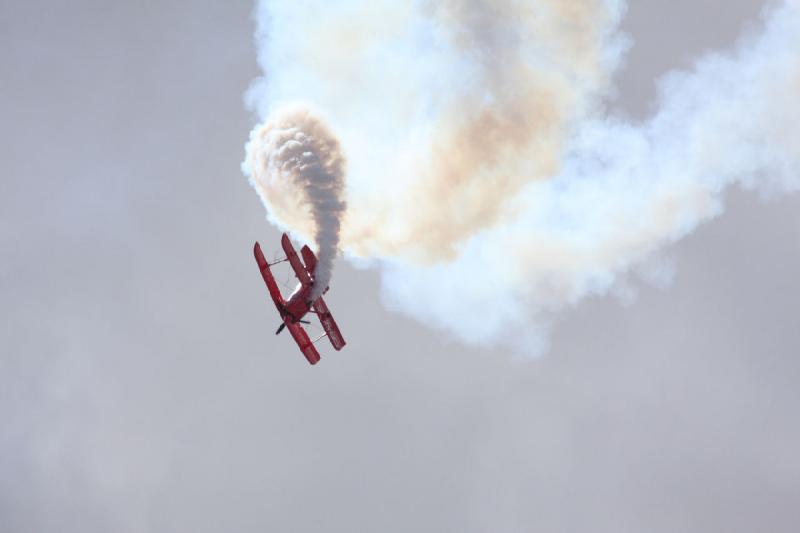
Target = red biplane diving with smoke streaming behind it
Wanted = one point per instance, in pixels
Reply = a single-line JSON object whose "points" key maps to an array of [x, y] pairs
{"points": [[299, 303]]}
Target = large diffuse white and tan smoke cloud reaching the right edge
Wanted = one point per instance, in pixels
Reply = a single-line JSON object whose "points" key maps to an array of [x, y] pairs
{"points": [[486, 178]]}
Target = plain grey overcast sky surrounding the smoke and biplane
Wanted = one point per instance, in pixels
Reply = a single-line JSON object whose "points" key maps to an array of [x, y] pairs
{"points": [[142, 388]]}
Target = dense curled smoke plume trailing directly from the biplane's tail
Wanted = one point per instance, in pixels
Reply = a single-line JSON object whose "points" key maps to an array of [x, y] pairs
{"points": [[296, 166]]}
